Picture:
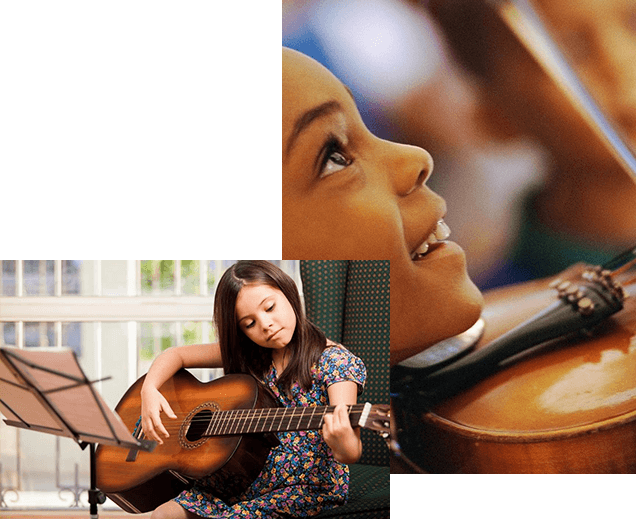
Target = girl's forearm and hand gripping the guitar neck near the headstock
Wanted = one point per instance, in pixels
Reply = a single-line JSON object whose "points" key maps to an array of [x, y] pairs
{"points": [[343, 440]]}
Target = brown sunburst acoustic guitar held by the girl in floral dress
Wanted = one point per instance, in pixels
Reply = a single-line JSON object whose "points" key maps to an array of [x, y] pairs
{"points": [[224, 429]]}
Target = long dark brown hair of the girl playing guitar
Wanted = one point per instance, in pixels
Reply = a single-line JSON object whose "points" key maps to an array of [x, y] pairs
{"points": [[241, 354]]}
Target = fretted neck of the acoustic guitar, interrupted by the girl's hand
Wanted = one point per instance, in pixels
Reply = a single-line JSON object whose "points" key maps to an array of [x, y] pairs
{"points": [[279, 419]]}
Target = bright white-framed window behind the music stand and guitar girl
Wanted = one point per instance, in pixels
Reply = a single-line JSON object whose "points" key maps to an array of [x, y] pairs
{"points": [[117, 316]]}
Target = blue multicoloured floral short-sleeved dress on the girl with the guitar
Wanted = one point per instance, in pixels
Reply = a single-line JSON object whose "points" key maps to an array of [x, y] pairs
{"points": [[301, 478]]}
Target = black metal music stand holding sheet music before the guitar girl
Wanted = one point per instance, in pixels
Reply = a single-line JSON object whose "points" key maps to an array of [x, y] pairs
{"points": [[45, 390]]}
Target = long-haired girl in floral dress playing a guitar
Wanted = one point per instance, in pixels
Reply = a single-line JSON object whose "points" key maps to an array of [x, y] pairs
{"points": [[263, 331]]}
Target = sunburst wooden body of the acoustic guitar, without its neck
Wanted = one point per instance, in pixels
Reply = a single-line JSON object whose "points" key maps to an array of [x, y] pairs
{"points": [[139, 481]]}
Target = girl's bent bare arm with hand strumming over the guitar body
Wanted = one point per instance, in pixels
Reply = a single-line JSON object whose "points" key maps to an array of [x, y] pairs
{"points": [[164, 367]]}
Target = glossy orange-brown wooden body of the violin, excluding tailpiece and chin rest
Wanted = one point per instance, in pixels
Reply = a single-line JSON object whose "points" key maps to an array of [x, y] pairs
{"points": [[566, 406]]}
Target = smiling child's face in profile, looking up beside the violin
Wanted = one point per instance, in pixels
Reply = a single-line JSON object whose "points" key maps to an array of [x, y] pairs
{"points": [[349, 195]]}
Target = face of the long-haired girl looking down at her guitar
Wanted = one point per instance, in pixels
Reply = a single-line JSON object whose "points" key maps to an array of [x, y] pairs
{"points": [[265, 315]]}
